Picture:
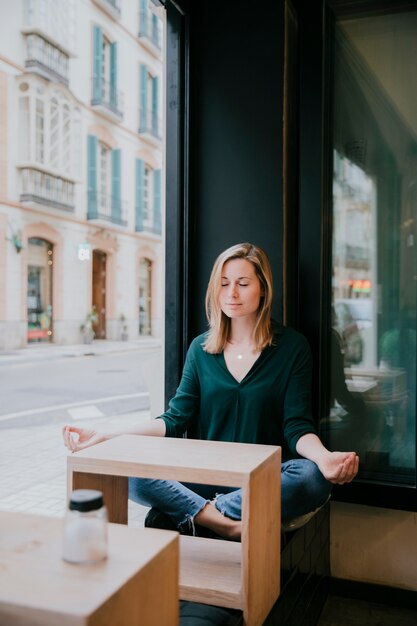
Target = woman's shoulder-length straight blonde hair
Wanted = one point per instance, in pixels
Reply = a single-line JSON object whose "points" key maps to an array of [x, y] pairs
{"points": [[219, 323]]}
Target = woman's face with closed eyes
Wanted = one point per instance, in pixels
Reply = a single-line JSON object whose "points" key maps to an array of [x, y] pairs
{"points": [[240, 290]]}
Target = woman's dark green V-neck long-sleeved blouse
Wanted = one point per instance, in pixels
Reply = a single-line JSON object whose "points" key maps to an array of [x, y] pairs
{"points": [[271, 405]]}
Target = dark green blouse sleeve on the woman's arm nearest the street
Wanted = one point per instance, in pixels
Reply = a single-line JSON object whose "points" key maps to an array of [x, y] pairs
{"points": [[184, 406]]}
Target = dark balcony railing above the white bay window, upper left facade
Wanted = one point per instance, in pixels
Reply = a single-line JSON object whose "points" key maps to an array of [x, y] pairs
{"points": [[47, 60]]}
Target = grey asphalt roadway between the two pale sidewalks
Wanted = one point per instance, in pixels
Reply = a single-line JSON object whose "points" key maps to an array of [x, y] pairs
{"points": [[72, 387]]}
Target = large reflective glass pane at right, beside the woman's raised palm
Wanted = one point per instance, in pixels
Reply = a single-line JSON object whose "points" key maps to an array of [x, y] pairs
{"points": [[374, 280]]}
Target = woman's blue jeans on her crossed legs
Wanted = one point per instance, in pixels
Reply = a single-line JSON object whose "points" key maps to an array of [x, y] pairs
{"points": [[303, 489]]}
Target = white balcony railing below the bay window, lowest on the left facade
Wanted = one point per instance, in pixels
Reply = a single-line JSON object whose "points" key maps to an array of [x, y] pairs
{"points": [[47, 189]]}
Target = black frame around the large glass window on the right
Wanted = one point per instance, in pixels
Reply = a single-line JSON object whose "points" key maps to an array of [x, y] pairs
{"points": [[315, 216]]}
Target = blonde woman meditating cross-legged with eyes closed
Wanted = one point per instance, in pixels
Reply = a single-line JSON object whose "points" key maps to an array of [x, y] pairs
{"points": [[247, 380]]}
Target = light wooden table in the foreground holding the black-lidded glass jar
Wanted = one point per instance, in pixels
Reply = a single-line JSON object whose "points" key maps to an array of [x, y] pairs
{"points": [[136, 585]]}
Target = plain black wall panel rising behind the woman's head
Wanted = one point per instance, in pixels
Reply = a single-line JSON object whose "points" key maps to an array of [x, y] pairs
{"points": [[235, 139]]}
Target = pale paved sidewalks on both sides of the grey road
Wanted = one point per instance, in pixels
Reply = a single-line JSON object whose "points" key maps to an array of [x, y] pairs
{"points": [[33, 458]]}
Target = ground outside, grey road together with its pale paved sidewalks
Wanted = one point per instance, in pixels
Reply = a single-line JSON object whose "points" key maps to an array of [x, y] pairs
{"points": [[37, 397]]}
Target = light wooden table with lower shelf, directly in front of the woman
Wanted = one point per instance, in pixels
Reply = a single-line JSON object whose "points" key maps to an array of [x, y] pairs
{"points": [[242, 575]]}
